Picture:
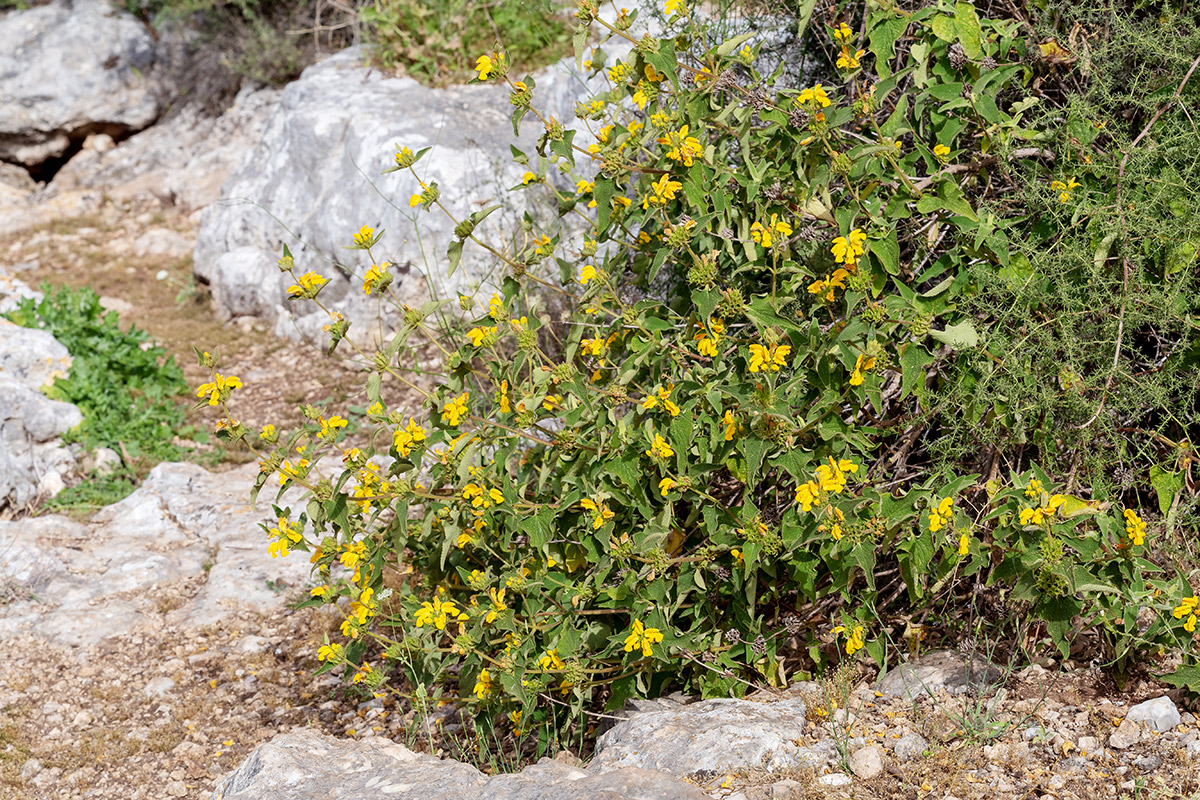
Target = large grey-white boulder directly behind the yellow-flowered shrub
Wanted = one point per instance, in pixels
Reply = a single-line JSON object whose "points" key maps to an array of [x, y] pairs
{"points": [[315, 179]]}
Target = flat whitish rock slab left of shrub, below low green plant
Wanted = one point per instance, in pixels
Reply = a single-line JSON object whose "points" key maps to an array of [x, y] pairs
{"points": [[87, 584]]}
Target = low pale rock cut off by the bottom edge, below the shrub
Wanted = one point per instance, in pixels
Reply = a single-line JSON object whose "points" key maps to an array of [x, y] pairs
{"points": [[310, 766]]}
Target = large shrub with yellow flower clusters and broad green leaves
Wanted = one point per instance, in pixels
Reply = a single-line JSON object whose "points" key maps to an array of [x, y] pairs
{"points": [[686, 479]]}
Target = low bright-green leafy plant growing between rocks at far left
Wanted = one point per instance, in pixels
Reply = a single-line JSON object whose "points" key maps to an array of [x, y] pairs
{"points": [[131, 394]]}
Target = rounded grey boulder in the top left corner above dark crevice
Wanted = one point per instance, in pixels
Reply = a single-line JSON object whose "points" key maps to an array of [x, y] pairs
{"points": [[68, 70]]}
